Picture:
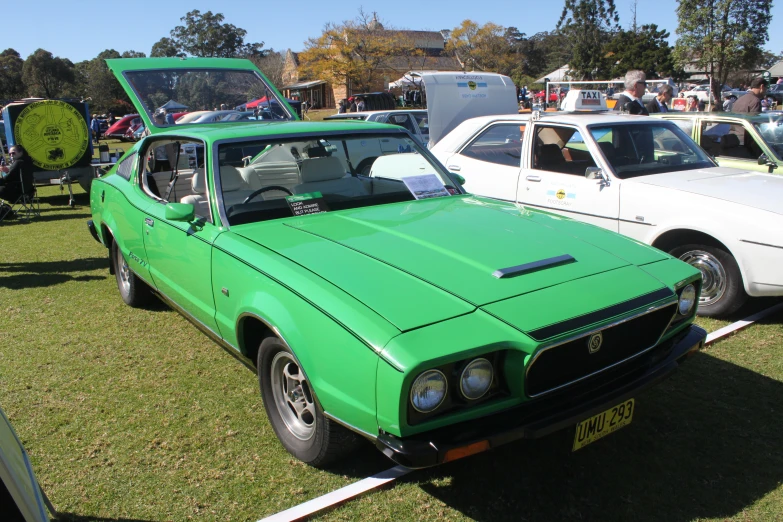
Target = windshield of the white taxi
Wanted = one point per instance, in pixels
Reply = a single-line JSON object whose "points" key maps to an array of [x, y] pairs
{"points": [[648, 148]]}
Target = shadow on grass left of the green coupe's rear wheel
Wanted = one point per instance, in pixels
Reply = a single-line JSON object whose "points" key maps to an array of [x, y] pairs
{"points": [[50, 273]]}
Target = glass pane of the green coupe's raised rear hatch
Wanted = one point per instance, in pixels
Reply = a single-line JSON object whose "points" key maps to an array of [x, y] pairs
{"points": [[202, 90]]}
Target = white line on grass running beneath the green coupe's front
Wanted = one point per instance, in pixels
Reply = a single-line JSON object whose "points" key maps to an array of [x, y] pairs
{"points": [[311, 507]]}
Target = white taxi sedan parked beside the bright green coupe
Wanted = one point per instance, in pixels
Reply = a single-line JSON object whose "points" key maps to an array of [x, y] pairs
{"points": [[639, 176]]}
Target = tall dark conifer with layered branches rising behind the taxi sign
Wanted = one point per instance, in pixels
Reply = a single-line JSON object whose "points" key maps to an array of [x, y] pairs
{"points": [[587, 25]]}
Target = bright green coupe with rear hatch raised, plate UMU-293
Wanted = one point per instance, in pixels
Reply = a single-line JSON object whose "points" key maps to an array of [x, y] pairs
{"points": [[391, 305]]}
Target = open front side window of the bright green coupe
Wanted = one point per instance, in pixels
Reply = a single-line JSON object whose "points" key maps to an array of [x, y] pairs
{"points": [[174, 173]]}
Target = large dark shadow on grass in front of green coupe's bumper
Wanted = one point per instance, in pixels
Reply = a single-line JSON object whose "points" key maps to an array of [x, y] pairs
{"points": [[704, 444]]}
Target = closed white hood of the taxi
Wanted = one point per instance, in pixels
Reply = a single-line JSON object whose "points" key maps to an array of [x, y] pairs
{"points": [[752, 189]]}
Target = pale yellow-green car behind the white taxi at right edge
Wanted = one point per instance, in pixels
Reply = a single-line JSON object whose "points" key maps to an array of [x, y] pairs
{"points": [[738, 140]]}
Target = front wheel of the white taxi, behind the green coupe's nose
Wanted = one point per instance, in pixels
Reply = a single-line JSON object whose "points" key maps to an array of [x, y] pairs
{"points": [[722, 292]]}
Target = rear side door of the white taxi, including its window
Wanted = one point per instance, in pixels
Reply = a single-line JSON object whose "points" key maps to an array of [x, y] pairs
{"points": [[490, 161]]}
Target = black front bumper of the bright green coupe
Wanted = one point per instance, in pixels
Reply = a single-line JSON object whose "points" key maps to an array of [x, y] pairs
{"points": [[541, 417]]}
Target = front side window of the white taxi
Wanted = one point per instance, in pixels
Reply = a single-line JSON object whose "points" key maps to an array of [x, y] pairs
{"points": [[561, 149]]}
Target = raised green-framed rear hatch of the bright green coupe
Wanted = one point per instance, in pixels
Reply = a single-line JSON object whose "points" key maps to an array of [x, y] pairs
{"points": [[152, 82]]}
